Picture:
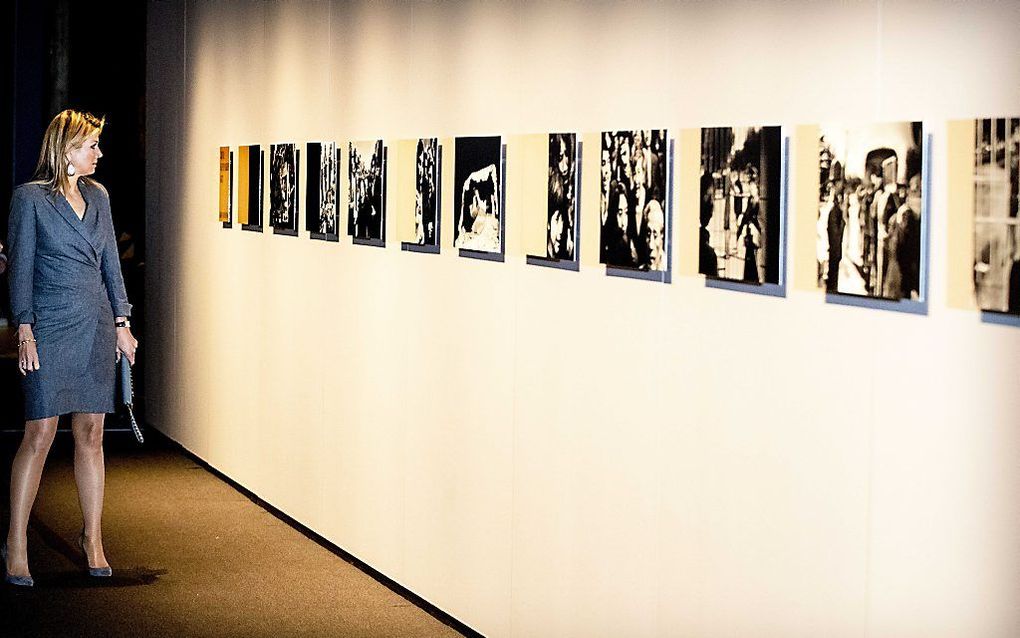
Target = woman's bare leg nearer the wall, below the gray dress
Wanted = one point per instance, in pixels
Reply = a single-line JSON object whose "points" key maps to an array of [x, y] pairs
{"points": [[90, 474]]}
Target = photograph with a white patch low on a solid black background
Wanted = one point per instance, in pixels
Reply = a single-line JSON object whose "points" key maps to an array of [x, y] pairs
{"points": [[478, 210]]}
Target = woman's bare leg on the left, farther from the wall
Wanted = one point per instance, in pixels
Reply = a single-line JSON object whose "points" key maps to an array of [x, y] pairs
{"points": [[25, 476]]}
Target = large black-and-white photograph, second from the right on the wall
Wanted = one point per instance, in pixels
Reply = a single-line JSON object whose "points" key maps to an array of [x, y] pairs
{"points": [[871, 204]]}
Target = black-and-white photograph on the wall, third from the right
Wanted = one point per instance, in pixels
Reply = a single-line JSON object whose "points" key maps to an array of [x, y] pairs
{"points": [[739, 236]]}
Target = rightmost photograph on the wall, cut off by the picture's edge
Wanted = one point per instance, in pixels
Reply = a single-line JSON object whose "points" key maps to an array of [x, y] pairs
{"points": [[997, 226]]}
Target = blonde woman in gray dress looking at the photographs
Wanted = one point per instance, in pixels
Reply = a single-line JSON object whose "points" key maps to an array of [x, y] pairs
{"points": [[69, 303]]}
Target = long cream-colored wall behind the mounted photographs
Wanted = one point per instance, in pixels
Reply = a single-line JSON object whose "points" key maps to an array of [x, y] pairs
{"points": [[549, 454]]}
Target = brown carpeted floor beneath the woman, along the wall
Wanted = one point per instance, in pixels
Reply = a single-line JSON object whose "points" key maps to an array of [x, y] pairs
{"points": [[192, 557]]}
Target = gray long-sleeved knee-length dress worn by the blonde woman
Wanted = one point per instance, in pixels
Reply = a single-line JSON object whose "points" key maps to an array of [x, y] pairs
{"points": [[66, 280]]}
